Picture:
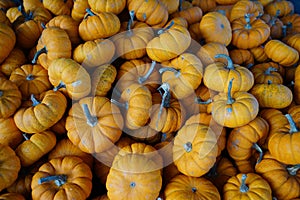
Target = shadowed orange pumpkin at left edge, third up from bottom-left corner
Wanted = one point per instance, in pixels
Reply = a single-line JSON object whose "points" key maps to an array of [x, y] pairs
{"points": [[10, 134]]}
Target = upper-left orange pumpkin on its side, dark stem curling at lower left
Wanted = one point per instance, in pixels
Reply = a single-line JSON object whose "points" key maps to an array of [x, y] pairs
{"points": [[53, 43]]}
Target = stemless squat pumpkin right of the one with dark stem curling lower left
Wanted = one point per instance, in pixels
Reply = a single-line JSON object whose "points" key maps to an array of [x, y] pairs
{"points": [[94, 53]]}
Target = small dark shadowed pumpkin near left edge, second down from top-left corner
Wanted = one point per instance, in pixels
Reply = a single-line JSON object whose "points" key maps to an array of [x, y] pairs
{"points": [[15, 59]]}
